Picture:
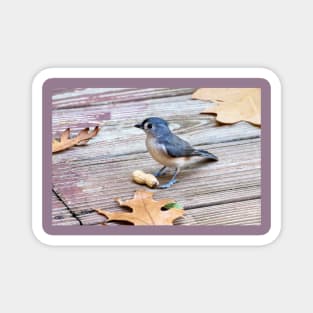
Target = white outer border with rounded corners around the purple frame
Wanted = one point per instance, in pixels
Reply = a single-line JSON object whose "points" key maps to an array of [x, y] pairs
{"points": [[147, 240]]}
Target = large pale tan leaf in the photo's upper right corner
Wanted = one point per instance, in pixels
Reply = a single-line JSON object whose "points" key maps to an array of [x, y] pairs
{"points": [[232, 104]]}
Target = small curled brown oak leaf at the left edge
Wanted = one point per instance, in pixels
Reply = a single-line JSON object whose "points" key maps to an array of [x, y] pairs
{"points": [[66, 142]]}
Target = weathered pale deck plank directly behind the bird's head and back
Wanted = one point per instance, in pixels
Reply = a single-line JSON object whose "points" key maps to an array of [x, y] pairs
{"points": [[116, 135]]}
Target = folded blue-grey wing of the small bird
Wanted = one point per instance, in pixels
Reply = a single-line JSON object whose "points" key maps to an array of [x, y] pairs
{"points": [[177, 147]]}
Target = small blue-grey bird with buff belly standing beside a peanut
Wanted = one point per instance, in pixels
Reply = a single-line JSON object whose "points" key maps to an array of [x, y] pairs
{"points": [[167, 148]]}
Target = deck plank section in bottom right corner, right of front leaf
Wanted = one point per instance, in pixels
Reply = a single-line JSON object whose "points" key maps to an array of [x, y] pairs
{"points": [[238, 213]]}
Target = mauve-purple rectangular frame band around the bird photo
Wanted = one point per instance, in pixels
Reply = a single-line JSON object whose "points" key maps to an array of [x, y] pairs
{"points": [[55, 83]]}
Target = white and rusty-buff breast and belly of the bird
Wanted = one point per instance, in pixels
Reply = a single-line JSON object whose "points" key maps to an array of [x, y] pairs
{"points": [[158, 152]]}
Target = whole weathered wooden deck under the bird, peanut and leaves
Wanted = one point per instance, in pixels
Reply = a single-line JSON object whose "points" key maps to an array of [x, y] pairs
{"points": [[226, 192]]}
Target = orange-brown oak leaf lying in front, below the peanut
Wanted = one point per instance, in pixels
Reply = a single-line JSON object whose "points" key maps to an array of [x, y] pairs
{"points": [[145, 210]]}
